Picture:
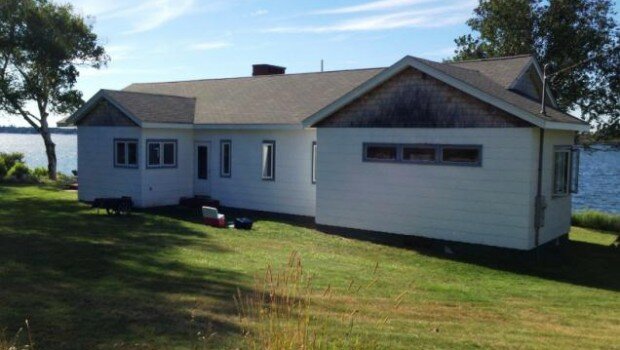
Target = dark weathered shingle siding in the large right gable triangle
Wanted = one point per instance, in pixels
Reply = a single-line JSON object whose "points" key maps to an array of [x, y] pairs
{"points": [[413, 99]]}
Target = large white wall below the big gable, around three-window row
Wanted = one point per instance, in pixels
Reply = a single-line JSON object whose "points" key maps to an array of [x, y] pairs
{"points": [[488, 205]]}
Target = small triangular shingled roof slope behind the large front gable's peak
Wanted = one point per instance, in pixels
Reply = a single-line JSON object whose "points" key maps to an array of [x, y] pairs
{"points": [[502, 70]]}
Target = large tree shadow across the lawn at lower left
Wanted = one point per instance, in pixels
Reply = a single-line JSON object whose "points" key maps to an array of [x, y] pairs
{"points": [[84, 279]]}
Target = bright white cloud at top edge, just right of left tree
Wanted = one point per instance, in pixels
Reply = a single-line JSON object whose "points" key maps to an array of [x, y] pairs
{"points": [[150, 14]]}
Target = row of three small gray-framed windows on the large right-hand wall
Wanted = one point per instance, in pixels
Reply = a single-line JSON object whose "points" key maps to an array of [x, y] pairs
{"points": [[470, 155]]}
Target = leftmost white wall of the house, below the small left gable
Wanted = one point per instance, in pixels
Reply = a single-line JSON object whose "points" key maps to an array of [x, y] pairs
{"points": [[96, 172]]}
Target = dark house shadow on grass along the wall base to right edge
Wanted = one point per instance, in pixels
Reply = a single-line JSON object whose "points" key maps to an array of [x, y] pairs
{"points": [[574, 262]]}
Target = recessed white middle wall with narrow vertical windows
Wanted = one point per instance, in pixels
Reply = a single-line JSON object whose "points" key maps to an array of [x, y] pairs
{"points": [[292, 191]]}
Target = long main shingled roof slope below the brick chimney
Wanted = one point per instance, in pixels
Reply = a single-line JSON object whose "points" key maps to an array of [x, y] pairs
{"points": [[269, 99]]}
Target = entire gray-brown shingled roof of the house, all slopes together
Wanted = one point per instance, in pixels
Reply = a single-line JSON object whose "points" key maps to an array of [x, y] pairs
{"points": [[291, 98]]}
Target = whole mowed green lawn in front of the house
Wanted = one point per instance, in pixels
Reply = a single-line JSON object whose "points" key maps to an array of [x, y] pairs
{"points": [[155, 279]]}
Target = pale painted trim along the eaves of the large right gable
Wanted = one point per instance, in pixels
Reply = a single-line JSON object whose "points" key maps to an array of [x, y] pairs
{"points": [[410, 62]]}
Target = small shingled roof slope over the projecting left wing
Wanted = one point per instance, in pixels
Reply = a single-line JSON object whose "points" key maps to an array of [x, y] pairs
{"points": [[155, 108]]}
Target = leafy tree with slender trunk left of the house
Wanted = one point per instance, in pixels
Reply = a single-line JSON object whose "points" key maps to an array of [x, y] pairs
{"points": [[42, 44]]}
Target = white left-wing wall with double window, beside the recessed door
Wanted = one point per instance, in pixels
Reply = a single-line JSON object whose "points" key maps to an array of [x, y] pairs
{"points": [[165, 186]]}
